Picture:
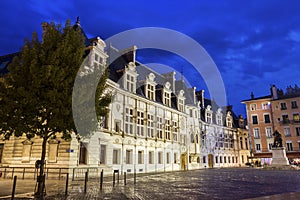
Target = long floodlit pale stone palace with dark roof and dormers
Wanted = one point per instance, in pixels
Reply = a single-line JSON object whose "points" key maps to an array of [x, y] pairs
{"points": [[154, 123]]}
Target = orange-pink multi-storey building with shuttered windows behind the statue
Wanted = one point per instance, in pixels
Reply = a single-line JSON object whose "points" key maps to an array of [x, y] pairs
{"points": [[277, 111]]}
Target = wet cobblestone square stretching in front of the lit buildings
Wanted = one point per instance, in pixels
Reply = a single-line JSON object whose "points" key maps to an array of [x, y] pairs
{"points": [[234, 183]]}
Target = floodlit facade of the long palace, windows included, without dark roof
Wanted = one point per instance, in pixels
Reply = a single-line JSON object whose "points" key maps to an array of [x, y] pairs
{"points": [[191, 144]]}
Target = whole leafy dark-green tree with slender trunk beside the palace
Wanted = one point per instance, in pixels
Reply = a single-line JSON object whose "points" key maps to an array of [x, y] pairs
{"points": [[36, 94]]}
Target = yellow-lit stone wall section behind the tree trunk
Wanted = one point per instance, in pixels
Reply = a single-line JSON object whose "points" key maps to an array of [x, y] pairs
{"points": [[21, 152]]}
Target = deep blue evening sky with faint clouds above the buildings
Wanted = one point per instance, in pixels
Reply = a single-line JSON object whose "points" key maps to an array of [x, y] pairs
{"points": [[253, 43]]}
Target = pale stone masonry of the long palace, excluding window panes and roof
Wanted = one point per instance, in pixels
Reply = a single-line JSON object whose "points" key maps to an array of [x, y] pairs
{"points": [[188, 155]]}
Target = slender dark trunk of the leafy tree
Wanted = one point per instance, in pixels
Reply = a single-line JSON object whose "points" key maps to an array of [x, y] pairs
{"points": [[41, 179]]}
